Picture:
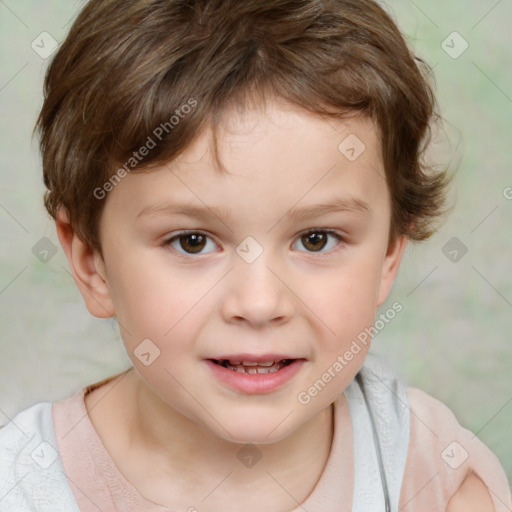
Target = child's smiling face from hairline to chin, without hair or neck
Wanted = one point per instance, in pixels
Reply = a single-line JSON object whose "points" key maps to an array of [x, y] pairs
{"points": [[305, 297]]}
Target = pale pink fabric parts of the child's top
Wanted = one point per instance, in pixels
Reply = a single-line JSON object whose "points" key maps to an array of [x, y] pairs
{"points": [[436, 439]]}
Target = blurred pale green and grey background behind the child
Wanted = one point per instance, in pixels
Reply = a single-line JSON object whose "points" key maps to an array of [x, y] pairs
{"points": [[452, 338]]}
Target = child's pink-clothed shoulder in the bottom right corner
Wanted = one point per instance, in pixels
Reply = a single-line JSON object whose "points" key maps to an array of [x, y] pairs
{"points": [[448, 461]]}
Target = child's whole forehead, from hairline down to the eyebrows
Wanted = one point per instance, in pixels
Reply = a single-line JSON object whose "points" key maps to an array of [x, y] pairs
{"points": [[276, 159]]}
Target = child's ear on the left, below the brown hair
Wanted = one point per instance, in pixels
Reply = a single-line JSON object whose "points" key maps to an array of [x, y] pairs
{"points": [[87, 268]]}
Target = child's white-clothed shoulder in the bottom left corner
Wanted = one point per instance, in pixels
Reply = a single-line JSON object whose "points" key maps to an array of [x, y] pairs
{"points": [[31, 473]]}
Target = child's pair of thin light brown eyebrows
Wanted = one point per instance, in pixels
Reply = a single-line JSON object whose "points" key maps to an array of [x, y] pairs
{"points": [[337, 205]]}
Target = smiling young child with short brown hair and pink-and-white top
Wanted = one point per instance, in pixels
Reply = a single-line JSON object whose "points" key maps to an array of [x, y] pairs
{"points": [[236, 183]]}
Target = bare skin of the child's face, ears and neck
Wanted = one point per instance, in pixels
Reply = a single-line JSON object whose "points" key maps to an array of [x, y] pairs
{"points": [[181, 425]]}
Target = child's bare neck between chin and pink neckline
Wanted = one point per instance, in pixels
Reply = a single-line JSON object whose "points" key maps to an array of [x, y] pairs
{"points": [[182, 451]]}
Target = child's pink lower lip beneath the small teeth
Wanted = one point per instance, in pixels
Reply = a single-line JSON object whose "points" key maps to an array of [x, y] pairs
{"points": [[257, 383]]}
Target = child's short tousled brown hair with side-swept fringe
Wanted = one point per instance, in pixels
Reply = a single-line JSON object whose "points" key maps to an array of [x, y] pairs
{"points": [[129, 66]]}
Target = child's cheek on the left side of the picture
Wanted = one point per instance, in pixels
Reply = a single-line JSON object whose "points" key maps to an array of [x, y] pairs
{"points": [[160, 321]]}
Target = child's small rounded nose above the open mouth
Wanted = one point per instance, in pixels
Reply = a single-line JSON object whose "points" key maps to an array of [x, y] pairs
{"points": [[257, 295]]}
